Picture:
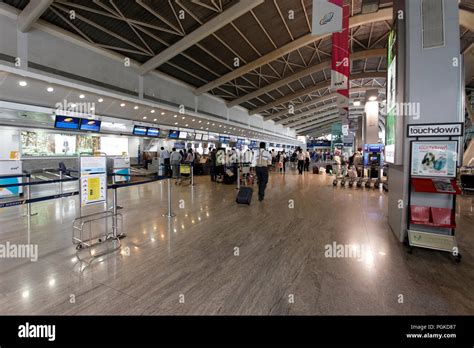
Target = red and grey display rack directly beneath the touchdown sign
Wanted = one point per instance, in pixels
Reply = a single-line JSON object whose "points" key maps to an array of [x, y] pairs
{"points": [[432, 194]]}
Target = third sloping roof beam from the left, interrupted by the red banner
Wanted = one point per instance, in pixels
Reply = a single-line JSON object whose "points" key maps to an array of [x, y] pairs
{"points": [[358, 20]]}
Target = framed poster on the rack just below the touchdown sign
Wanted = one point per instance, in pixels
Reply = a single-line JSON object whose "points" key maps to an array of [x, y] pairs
{"points": [[434, 158]]}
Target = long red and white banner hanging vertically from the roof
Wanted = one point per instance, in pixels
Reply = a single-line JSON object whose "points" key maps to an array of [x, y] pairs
{"points": [[340, 66]]}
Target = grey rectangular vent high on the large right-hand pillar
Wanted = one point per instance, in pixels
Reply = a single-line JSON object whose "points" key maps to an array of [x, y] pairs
{"points": [[432, 23]]}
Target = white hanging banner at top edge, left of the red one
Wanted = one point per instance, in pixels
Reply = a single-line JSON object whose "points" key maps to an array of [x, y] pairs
{"points": [[327, 16]]}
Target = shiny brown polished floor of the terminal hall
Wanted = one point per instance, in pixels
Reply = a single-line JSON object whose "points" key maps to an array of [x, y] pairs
{"points": [[216, 257]]}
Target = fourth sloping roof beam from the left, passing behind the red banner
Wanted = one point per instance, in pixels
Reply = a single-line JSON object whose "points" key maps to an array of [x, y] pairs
{"points": [[305, 72]]}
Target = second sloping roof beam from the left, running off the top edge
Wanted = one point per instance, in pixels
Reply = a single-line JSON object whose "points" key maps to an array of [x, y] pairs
{"points": [[199, 34]]}
